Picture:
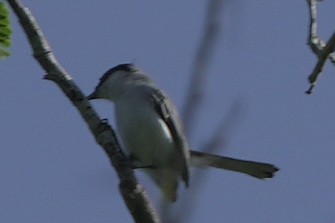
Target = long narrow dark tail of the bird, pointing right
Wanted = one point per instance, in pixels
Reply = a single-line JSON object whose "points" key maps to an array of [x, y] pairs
{"points": [[255, 169]]}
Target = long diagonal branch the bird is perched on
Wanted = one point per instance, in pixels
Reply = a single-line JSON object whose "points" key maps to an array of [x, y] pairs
{"points": [[132, 192]]}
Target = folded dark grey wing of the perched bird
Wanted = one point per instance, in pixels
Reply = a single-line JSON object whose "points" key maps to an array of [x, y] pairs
{"points": [[166, 109]]}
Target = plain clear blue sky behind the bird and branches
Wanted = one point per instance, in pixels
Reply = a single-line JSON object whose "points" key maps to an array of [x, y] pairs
{"points": [[52, 170]]}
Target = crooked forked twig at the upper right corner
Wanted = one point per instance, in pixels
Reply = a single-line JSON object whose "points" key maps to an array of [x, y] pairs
{"points": [[321, 49]]}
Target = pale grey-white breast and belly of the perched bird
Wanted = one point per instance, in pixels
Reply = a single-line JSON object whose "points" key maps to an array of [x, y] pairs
{"points": [[143, 133]]}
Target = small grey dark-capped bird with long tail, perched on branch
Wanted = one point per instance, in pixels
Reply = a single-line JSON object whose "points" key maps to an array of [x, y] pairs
{"points": [[151, 131]]}
